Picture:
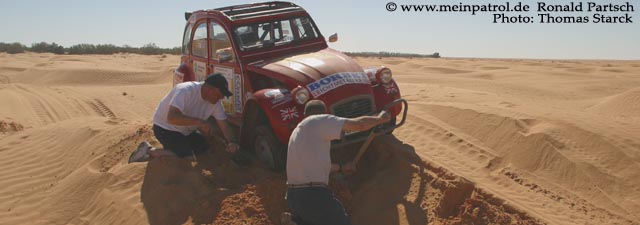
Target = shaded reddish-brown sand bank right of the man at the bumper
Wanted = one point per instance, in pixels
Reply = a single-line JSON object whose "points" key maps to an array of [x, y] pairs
{"points": [[395, 186]]}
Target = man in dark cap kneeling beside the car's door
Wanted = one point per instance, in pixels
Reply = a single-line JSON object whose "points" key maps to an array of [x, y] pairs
{"points": [[182, 116]]}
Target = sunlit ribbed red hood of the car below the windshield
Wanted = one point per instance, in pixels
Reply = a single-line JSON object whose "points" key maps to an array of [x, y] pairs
{"points": [[309, 67]]}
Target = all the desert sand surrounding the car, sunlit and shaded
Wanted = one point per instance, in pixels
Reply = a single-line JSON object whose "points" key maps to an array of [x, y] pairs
{"points": [[487, 141]]}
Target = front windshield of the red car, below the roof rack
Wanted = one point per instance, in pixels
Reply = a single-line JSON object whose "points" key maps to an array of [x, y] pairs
{"points": [[275, 33]]}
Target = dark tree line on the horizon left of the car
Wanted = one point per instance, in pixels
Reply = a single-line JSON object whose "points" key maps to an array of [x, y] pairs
{"points": [[80, 49]]}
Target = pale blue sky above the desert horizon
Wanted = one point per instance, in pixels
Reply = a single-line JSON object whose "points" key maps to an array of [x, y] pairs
{"points": [[362, 26]]}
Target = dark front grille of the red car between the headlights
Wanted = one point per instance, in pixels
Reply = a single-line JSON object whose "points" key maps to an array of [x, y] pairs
{"points": [[353, 107]]}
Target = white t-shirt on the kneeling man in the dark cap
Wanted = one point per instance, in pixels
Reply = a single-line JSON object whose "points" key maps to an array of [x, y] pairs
{"points": [[187, 98]]}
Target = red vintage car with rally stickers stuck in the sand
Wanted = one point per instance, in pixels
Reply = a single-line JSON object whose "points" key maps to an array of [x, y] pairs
{"points": [[275, 60]]}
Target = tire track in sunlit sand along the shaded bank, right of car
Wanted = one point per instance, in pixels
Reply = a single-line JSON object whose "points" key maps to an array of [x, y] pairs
{"points": [[443, 145]]}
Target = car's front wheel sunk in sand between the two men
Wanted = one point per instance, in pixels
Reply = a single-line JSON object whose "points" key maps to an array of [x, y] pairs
{"points": [[269, 149]]}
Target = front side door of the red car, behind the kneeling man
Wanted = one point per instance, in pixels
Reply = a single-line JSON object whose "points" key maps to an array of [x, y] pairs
{"points": [[223, 60]]}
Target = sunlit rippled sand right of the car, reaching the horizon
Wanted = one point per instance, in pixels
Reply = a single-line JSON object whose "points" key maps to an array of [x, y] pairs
{"points": [[528, 124]]}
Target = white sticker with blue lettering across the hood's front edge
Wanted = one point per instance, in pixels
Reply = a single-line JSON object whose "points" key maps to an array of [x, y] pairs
{"points": [[334, 81]]}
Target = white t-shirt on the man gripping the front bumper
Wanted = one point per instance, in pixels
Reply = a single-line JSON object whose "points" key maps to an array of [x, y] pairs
{"points": [[309, 156]]}
